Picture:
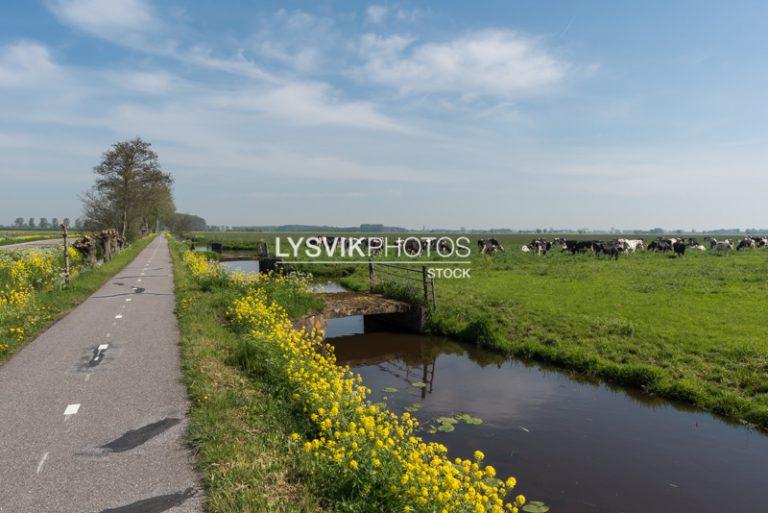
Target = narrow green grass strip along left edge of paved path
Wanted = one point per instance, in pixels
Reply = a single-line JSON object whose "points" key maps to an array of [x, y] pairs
{"points": [[52, 305]]}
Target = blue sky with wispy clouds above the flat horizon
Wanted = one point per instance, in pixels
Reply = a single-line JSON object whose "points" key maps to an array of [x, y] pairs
{"points": [[478, 114]]}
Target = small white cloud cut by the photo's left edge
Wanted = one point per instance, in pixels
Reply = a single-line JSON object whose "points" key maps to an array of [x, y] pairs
{"points": [[26, 64]]}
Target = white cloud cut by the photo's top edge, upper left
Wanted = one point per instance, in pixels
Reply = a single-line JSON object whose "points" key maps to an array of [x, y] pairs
{"points": [[105, 18]]}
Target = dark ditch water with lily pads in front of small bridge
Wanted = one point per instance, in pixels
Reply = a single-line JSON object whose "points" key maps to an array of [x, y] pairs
{"points": [[577, 446]]}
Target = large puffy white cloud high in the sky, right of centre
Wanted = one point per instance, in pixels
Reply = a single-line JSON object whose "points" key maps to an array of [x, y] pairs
{"points": [[496, 63]]}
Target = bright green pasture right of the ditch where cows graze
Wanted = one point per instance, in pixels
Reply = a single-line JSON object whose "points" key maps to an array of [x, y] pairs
{"points": [[691, 328]]}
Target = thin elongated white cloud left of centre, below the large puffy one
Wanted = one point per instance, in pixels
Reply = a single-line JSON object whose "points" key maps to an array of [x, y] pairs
{"points": [[311, 104]]}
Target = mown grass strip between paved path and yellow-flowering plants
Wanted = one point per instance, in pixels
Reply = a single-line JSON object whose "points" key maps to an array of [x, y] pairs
{"points": [[239, 424]]}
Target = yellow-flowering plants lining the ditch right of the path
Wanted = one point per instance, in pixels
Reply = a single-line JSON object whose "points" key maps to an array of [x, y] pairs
{"points": [[356, 450]]}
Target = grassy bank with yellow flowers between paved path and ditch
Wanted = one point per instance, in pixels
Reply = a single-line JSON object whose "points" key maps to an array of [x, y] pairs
{"points": [[278, 426]]}
